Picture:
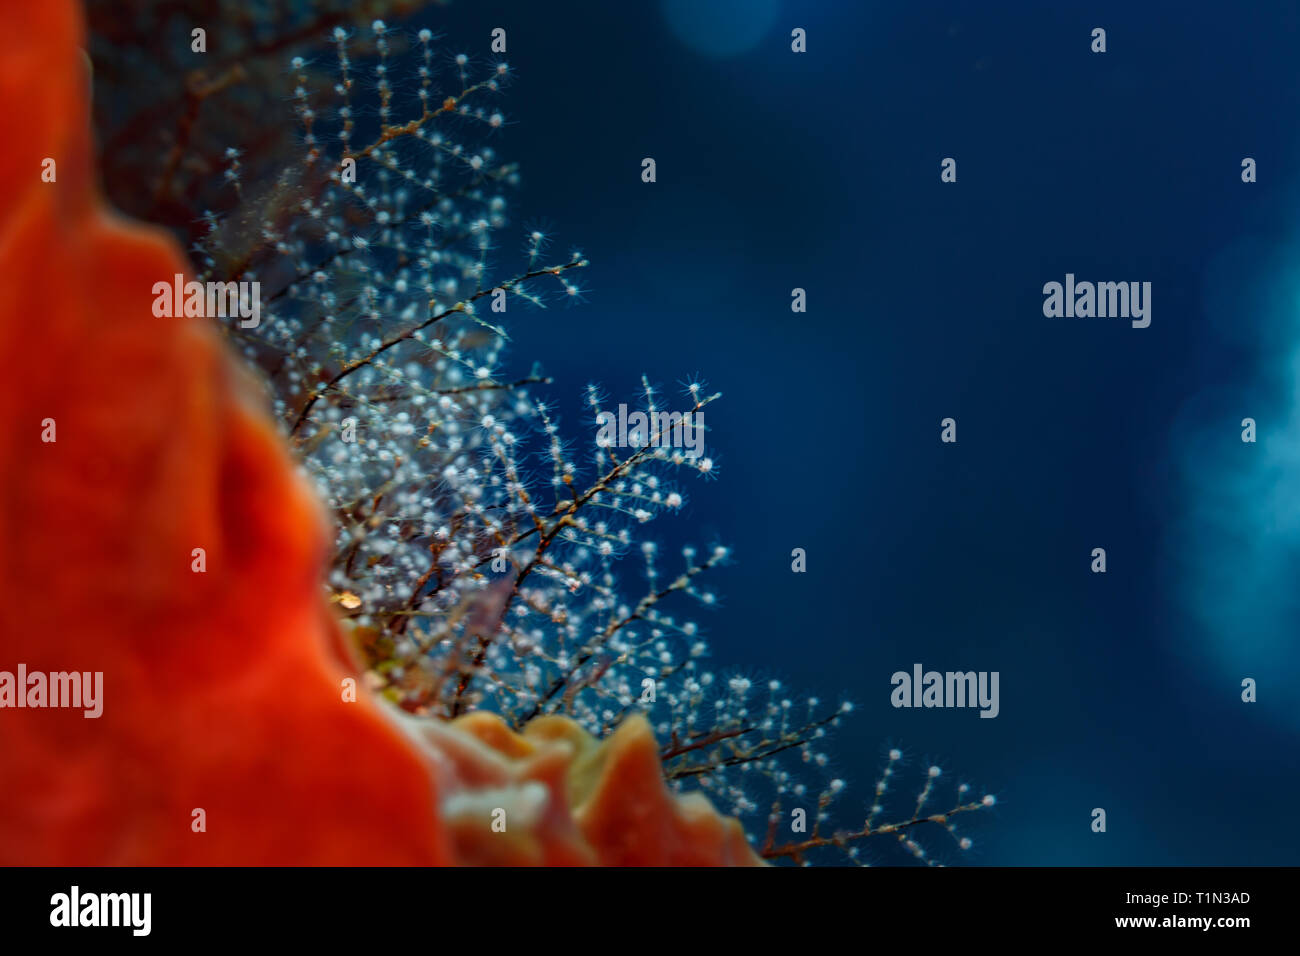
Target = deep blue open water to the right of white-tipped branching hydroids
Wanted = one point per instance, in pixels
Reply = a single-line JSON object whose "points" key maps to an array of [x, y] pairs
{"points": [[821, 171]]}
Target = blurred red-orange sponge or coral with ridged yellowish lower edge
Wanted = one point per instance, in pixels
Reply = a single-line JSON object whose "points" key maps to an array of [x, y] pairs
{"points": [[220, 689]]}
